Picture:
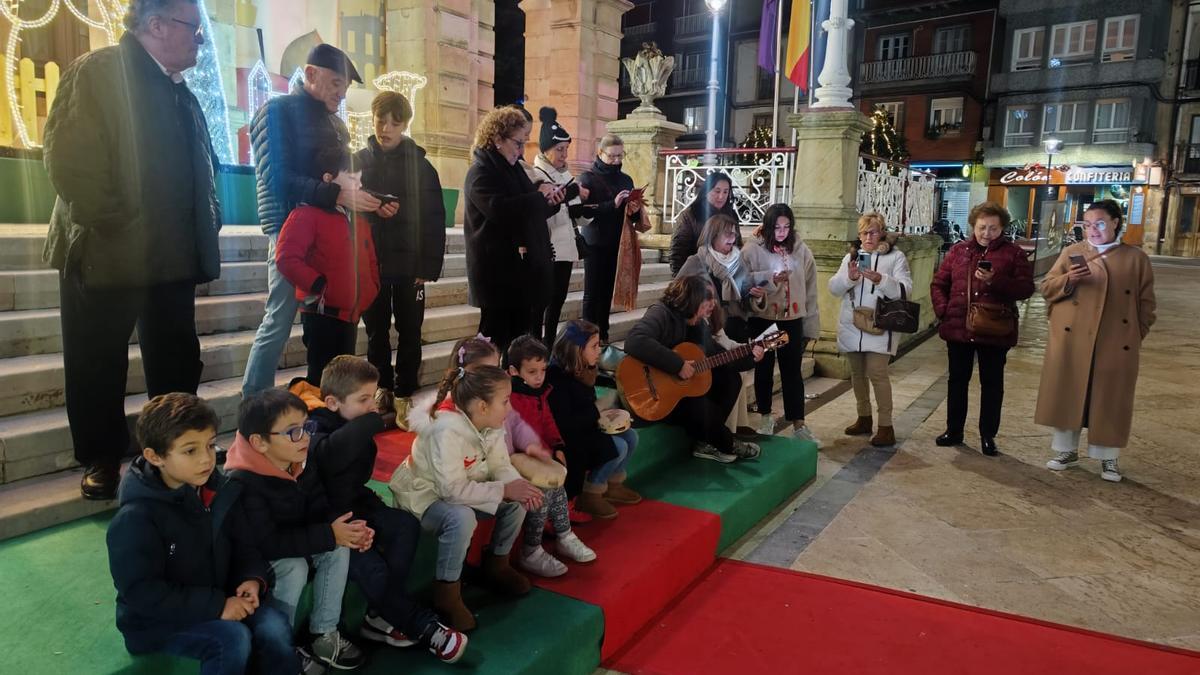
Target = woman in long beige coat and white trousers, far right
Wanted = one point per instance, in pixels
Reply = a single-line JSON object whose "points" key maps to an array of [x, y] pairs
{"points": [[1100, 313]]}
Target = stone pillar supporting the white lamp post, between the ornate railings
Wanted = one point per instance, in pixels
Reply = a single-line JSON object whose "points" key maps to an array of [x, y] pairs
{"points": [[824, 199]]}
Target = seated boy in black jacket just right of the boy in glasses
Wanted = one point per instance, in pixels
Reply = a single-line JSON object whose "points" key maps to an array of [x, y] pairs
{"points": [[344, 452]]}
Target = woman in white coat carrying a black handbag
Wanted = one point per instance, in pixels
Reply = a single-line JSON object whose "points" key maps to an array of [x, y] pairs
{"points": [[878, 270]]}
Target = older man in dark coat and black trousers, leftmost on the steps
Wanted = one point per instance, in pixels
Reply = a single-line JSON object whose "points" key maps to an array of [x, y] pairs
{"points": [[135, 225]]}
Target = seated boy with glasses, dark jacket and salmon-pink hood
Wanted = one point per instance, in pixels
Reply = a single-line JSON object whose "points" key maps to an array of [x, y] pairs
{"points": [[286, 506]]}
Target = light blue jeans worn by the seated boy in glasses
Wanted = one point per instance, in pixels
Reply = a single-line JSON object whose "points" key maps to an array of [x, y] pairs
{"points": [[329, 586]]}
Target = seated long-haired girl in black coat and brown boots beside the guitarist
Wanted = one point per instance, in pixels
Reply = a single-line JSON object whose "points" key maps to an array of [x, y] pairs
{"points": [[596, 462]]}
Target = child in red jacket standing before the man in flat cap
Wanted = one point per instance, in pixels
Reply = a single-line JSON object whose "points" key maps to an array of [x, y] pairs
{"points": [[329, 256]]}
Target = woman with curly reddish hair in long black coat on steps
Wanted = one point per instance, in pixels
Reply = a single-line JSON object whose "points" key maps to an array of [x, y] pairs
{"points": [[509, 259]]}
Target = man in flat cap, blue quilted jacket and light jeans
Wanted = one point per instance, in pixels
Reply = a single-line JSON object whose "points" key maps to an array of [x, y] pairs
{"points": [[287, 135]]}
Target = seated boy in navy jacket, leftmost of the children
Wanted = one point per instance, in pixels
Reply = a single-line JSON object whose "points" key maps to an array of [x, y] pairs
{"points": [[189, 580]]}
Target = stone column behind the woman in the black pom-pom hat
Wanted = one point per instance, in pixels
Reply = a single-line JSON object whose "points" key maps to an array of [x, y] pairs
{"points": [[573, 64]]}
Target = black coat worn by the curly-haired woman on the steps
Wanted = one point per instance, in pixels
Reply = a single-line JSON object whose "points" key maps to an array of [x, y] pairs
{"points": [[505, 213]]}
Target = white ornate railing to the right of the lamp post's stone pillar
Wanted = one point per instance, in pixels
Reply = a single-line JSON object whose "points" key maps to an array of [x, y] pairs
{"points": [[904, 196]]}
